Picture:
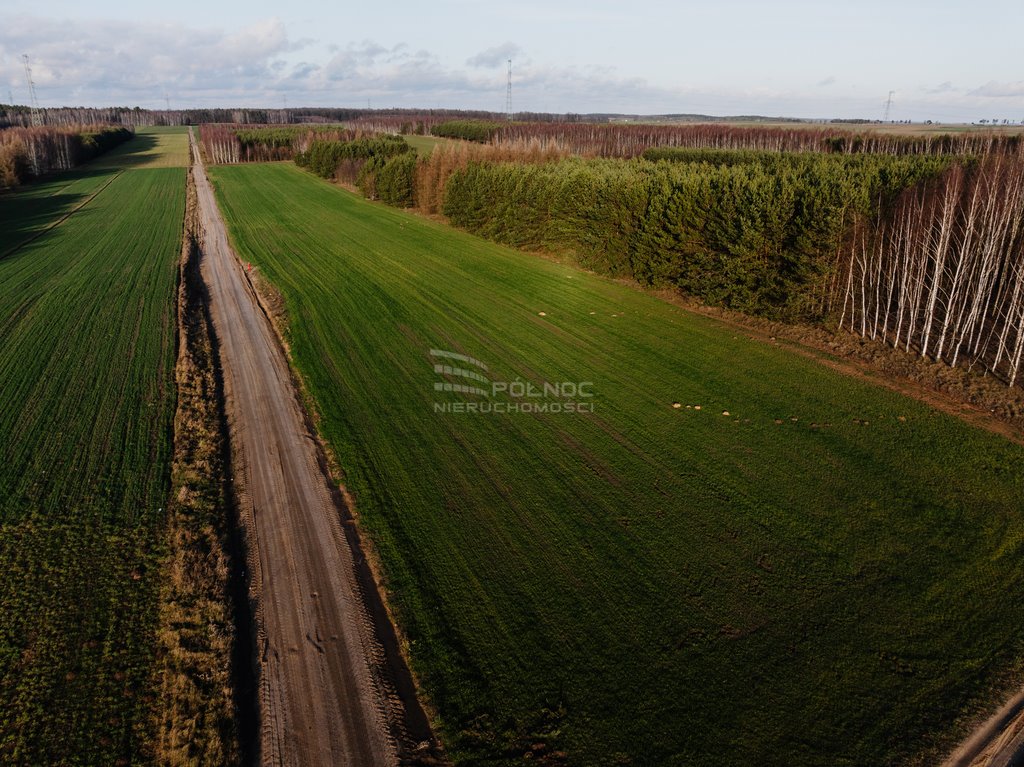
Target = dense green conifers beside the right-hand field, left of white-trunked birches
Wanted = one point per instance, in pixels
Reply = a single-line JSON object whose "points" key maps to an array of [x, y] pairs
{"points": [[756, 232]]}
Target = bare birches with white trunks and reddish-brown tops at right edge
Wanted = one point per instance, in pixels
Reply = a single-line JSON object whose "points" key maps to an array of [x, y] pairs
{"points": [[943, 272]]}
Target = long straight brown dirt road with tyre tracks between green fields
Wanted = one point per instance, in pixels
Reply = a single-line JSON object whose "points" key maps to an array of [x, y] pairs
{"points": [[323, 695]]}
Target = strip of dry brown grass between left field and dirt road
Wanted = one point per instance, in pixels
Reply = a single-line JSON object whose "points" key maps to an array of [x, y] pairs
{"points": [[195, 711]]}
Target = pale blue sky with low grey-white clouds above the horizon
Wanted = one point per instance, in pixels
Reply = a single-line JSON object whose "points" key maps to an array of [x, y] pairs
{"points": [[948, 62]]}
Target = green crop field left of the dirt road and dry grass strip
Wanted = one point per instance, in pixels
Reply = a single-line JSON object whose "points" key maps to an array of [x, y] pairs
{"points": [[88, 346]]}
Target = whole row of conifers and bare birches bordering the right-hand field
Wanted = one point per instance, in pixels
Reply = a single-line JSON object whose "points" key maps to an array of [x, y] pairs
{"points": [[925, 252]]}
